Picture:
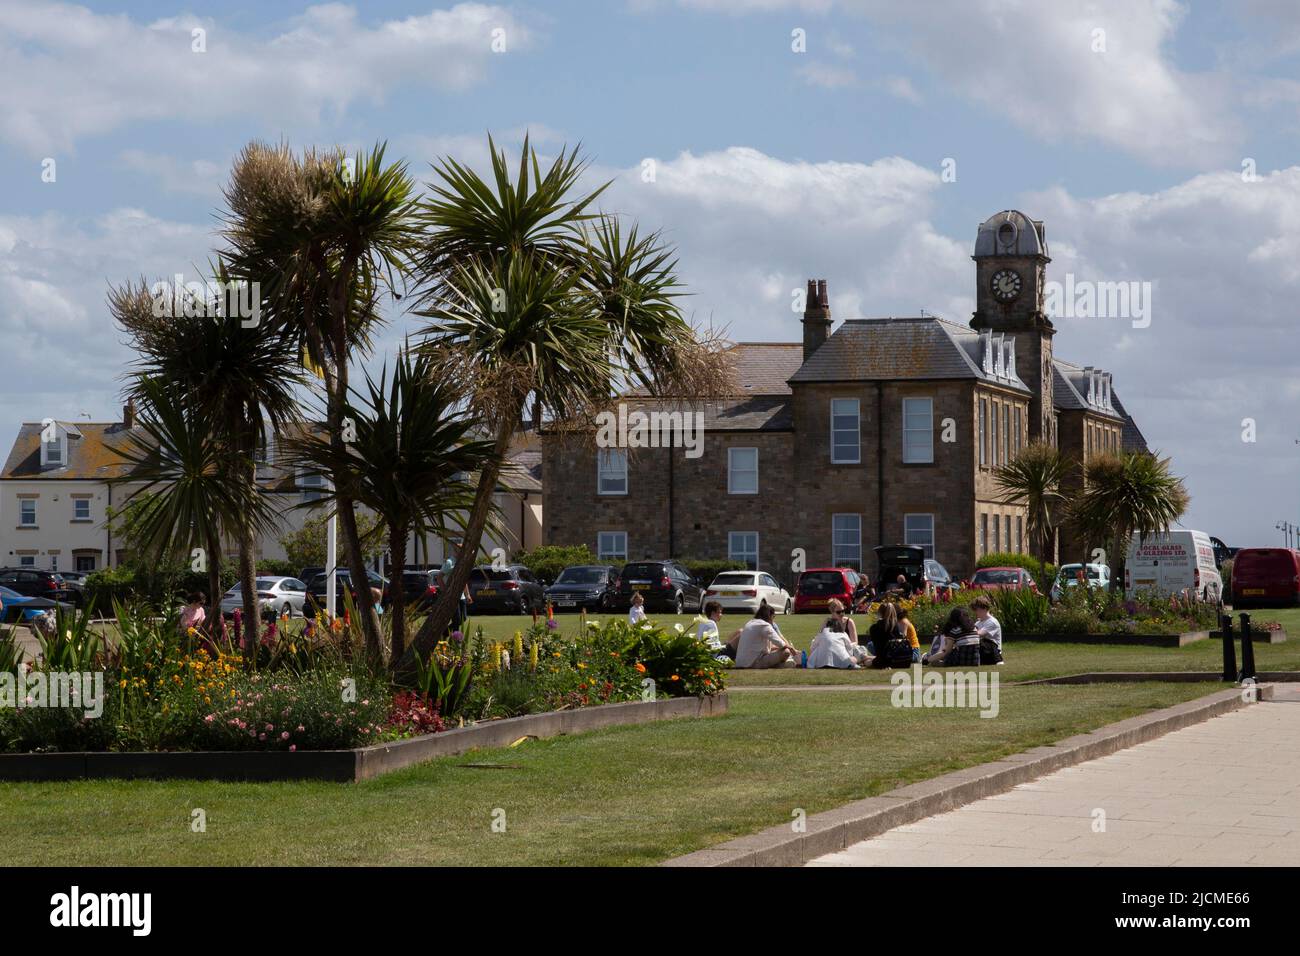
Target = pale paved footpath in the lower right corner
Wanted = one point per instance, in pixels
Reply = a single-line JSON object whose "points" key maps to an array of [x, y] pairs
{"points": [[1225, 793]]}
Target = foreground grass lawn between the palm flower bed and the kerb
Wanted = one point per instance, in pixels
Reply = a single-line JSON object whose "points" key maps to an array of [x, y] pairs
{"points": [[621, 797]]}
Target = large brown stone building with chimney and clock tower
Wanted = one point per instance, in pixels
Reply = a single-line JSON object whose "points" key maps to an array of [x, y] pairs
{"points": [[877, 432]]}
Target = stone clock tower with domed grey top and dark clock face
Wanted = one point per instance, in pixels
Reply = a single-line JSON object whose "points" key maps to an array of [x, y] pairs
{"points": [[1011, 269]]}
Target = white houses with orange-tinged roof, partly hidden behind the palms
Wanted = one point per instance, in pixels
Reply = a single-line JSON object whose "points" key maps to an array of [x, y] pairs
{"points": [[55, 498]]}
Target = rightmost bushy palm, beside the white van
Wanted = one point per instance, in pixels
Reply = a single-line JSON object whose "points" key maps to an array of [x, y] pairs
{"points": [[1125, 495]]}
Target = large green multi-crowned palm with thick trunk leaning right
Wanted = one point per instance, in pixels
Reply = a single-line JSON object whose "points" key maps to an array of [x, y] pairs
{"points": [[539, 305]]}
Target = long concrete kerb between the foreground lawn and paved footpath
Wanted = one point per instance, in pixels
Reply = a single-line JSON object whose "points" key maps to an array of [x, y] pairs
{"points": [[834, 830]]}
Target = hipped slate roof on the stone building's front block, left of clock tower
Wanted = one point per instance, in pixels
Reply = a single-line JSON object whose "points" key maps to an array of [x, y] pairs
{"points": [[924, 348]]}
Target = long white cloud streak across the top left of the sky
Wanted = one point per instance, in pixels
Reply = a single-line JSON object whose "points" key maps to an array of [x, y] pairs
{"points": [[67, 72]]}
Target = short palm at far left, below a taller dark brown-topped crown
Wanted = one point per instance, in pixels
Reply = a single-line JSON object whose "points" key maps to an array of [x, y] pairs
{"points": [[188, 492]]}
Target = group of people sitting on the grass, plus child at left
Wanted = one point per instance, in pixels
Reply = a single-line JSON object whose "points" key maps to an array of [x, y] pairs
{"points": [[969, 638]]}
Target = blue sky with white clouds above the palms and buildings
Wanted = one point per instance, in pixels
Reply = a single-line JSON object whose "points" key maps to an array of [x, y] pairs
{"points": [[770, 141]]}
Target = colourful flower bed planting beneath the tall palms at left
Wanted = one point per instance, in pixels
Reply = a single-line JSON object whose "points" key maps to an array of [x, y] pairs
{"points": [[166, 691]]}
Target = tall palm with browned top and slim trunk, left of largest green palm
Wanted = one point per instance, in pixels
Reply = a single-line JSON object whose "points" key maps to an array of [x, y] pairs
{"points": [[327, 239]]}
